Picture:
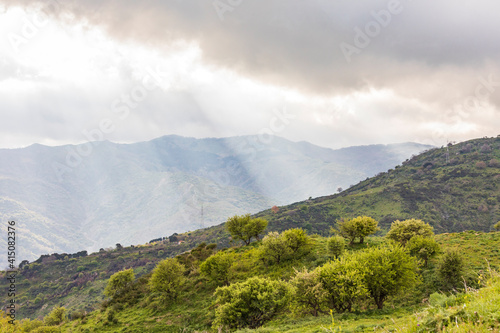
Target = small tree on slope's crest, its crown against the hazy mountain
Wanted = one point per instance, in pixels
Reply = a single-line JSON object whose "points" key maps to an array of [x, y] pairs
{"points": [[245, 228]]}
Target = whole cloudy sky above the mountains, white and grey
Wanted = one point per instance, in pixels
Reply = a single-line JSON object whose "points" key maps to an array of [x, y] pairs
{"points": [[332, 72]]}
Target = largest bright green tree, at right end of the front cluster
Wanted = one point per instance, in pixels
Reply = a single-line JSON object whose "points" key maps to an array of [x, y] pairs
{"points": [[387, 271]]}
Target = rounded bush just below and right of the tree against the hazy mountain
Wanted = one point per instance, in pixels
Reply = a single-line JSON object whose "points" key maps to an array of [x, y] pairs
{"points": [[290, 244]]}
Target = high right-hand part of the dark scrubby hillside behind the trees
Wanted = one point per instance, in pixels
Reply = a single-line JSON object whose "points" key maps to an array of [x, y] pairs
{"points": [[454, 188]]}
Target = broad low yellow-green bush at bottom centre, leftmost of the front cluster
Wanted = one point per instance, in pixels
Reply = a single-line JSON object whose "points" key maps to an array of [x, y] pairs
{"points": [[250, 303]]}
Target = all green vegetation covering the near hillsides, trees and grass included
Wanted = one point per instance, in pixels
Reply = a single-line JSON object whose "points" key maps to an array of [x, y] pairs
{"points": [[418, 284]]}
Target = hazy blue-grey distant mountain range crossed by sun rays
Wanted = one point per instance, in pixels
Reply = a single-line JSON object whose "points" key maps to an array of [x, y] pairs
{"points": [[70, 198]]}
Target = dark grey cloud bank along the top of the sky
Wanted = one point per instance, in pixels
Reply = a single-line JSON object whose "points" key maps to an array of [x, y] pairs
{"points": [[296, 43]]}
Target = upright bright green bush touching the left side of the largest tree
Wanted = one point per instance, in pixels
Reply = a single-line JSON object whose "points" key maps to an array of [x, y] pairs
{"points": [[343, 281]]}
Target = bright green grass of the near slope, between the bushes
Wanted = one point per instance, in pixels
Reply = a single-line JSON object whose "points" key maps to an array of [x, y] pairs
{"points": [[195, 309]]}
